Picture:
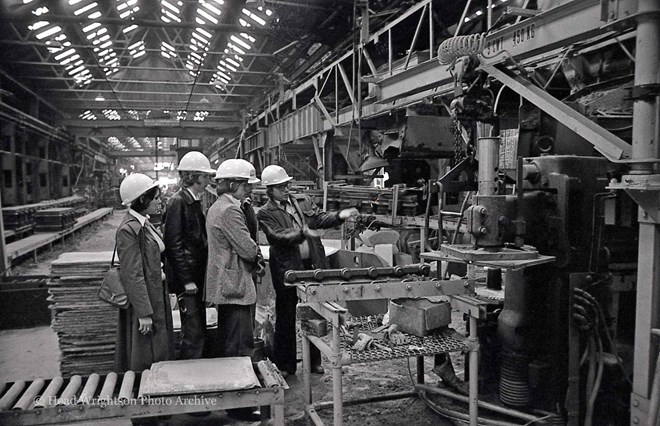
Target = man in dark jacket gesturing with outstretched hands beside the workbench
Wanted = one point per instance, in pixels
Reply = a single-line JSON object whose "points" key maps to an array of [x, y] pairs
{"points": [[289, 222]]}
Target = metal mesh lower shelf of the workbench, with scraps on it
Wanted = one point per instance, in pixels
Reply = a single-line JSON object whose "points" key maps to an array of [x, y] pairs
{"points": [[447, 340]]}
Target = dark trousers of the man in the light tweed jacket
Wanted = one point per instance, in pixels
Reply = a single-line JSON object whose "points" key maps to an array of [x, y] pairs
{"points": [[235, 330]]}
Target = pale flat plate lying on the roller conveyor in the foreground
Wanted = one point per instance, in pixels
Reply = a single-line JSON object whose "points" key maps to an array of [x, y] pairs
{"points": [[200, 376]]}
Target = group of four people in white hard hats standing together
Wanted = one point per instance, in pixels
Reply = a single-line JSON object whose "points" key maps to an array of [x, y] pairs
{"points": [[213, 259]]}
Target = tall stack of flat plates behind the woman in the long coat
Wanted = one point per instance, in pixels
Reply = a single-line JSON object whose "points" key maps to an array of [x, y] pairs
{"points": [[85, 326]]}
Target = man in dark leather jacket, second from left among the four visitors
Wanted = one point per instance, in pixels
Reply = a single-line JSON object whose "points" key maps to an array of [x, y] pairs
{"points": [[186, 251]]}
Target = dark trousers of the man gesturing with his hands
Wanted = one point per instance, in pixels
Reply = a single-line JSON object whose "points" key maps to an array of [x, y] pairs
{"points": [[285, 332]]}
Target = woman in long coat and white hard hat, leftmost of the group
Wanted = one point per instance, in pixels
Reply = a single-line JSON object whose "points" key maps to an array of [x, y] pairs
{"points": [[145, 333]]}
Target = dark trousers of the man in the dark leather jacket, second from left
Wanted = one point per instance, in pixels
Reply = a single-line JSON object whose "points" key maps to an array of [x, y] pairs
{"points": [[193, 326]]}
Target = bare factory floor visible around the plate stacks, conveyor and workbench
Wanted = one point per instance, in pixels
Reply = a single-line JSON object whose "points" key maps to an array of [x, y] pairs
{"points": [[31, 353]]}
